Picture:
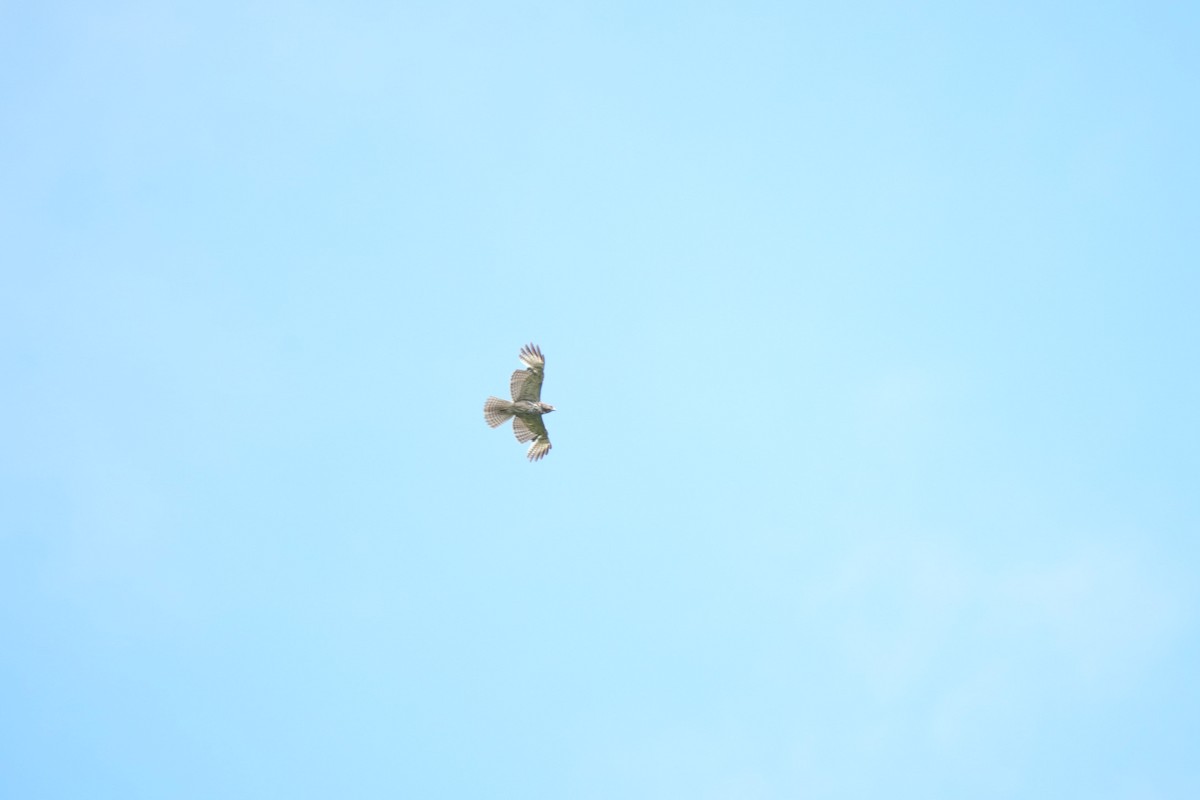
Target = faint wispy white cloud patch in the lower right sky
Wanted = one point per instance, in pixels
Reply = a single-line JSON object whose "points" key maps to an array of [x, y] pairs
{"points": [[955, 646]]}
